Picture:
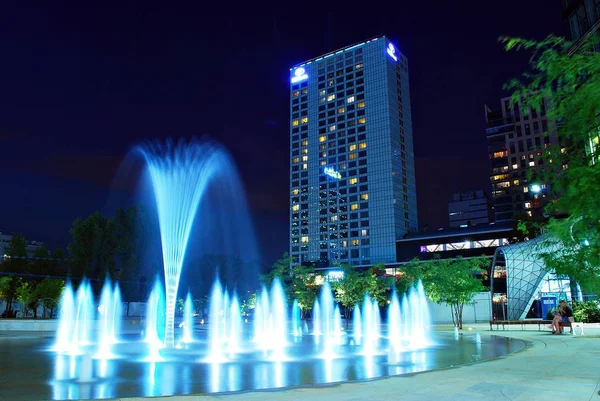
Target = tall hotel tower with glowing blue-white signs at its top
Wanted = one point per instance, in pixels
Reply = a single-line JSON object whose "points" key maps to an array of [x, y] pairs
{"points": [[352, 176]]}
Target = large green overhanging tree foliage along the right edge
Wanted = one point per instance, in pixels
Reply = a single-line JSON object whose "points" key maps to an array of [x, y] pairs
{"points": [[569, 82]]}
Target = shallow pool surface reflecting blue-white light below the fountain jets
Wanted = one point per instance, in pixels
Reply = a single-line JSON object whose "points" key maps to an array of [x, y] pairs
{"points": [[183, 374]]}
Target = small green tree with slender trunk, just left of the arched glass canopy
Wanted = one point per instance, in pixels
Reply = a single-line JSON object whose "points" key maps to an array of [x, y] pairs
{"points": [[452, 281]]}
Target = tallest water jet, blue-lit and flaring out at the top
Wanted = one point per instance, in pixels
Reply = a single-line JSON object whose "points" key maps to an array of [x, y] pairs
{"points": [[179, 174]]}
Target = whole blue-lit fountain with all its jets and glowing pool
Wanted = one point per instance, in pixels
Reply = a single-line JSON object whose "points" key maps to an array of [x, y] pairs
{"points": [[98, 354]]}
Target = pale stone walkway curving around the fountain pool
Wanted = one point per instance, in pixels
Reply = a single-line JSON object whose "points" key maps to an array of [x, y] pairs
{"points": [[551, 367]]}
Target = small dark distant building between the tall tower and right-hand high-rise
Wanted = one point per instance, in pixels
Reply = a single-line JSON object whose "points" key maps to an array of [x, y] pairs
{"points": [[469, 208]]}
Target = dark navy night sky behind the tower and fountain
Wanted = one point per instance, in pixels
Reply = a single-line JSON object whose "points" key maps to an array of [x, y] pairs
{"points": [[80, 86]]}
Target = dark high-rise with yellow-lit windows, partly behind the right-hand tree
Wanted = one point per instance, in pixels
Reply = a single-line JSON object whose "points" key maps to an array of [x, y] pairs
{"points": [[516, 143]]}
